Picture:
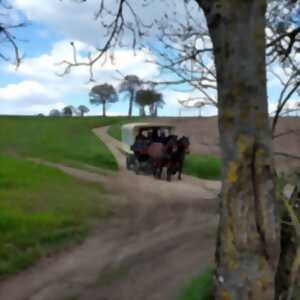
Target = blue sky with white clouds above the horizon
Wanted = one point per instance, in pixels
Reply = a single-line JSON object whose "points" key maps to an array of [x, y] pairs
{"points": [[36, 88]]}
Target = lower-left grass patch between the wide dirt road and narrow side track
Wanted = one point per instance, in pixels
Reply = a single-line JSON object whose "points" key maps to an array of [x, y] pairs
{"points": [[42, 210]]}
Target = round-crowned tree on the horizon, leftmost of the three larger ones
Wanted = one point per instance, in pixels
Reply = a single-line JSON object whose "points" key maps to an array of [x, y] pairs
{"points": [[103, 94]]}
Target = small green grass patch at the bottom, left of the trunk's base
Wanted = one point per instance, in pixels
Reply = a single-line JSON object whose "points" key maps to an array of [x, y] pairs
{"points": [[200, 288]]}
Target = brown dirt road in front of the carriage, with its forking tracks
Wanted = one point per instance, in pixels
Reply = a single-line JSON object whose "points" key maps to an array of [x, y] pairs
{"points": [[162, 235]]}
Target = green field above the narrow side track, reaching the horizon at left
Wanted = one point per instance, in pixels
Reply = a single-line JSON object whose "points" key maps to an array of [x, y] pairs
{"points": [[67, 140]]}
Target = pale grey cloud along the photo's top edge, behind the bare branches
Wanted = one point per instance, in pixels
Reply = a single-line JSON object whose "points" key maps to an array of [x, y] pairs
{"points": [[77, 20]]}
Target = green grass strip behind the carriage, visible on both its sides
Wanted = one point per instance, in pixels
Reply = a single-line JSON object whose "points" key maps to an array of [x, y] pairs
{"points": [[201, 166]]}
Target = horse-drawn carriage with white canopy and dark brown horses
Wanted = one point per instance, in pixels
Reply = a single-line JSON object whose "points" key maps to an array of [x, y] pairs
{"points": [[146, 146]]}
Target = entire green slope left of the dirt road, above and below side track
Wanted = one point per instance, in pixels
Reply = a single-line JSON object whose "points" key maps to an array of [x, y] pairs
{"points": [[42, 209]]}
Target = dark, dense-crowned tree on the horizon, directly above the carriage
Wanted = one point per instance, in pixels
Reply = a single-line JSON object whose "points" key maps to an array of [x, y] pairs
{"points": [[149, 97]]}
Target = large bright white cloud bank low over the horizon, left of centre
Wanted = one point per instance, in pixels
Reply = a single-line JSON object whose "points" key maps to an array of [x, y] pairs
{"points": [[42, 86]]}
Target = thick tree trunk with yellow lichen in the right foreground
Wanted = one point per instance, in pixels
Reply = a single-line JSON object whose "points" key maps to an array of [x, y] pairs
{"points": [[248, 236]]}
